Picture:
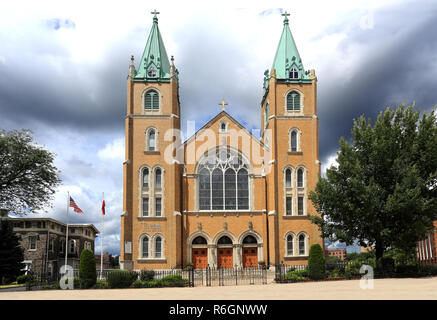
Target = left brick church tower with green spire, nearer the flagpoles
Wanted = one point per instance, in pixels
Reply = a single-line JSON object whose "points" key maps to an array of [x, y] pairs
{"points": [[150, 223]]}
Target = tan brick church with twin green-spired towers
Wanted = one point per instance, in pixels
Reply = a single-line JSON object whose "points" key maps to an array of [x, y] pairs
{"points": [[224, 197]]}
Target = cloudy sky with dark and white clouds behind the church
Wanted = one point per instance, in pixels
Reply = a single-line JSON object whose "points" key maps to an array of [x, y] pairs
{"points": [[63, 68]]}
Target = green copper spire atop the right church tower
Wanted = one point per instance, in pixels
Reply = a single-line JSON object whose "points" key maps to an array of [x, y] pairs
{"points": [[287, 63]]}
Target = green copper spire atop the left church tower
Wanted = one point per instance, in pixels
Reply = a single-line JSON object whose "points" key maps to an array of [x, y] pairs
{"points": [[154, 65]]}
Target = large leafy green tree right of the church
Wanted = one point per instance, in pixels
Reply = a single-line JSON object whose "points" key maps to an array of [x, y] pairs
{"points": [[384, 190]]}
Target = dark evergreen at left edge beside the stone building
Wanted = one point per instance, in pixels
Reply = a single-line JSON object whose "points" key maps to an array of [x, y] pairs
{"points": [[11, 253]]}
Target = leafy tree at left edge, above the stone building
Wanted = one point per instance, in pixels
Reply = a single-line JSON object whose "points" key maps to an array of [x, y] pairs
{"points": [[28, 178]]}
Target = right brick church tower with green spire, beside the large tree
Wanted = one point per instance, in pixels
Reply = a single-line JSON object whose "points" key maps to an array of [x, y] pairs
{"points": [[289, 125]]}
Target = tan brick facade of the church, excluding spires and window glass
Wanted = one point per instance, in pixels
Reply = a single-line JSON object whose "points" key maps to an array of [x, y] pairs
{"points": [[259, 233]]}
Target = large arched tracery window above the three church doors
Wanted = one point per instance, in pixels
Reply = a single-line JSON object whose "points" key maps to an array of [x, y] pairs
{"points": [[223, 182]]}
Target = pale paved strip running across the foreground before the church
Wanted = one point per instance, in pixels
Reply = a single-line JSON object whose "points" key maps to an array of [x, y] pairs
{"points": [[423, 288]]}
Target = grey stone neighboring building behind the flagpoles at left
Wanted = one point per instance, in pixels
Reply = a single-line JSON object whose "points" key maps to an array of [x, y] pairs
{"points": [[43, 240]]}
